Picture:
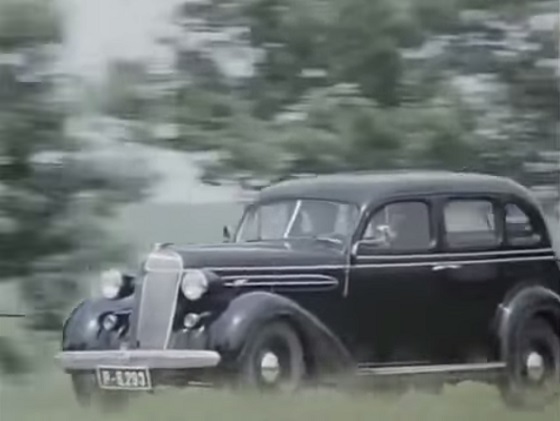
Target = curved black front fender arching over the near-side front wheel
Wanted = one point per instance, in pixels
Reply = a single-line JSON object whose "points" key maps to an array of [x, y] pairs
{"points": [[230, 332]]}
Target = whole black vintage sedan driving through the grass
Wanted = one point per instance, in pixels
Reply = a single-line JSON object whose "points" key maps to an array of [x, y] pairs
{"points": [[449, 275]]}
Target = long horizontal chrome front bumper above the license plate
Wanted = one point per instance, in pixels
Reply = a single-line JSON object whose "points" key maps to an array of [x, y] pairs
{"points": [[152, 359]]}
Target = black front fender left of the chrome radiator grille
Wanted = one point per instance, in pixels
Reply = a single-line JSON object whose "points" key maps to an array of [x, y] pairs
{"points": [[82, 330]]}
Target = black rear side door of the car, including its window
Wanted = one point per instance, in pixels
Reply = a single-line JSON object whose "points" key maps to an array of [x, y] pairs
{"points": [[470, 263]]}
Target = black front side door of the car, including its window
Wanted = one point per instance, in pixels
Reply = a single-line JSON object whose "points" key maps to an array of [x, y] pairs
{"points": [[391, 285]]}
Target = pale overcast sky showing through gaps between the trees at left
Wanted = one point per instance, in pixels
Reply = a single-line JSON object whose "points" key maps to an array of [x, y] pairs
{"points": [[98, 30]]}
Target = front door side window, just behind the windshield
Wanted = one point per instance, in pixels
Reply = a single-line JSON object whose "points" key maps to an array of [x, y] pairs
{"points": [[402, 226]]}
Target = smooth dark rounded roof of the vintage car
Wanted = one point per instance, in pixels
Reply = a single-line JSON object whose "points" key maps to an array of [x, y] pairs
{"points": [[363, 188]]}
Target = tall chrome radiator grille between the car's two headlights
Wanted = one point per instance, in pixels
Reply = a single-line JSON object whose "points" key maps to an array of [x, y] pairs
{"points": [[156, 300]]}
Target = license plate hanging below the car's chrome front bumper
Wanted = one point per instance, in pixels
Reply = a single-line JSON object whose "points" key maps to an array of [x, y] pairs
{"points": [[127, 378]]}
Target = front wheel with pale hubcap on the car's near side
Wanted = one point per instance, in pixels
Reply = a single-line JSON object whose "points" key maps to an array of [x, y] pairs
{"points": [[281, 341]]}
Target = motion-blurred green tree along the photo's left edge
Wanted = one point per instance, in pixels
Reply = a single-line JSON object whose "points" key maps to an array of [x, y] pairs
{"points": [[55, 189]]}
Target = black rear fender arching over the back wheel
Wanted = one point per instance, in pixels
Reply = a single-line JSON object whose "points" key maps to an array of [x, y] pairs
{"points": [[518, 307]]}
